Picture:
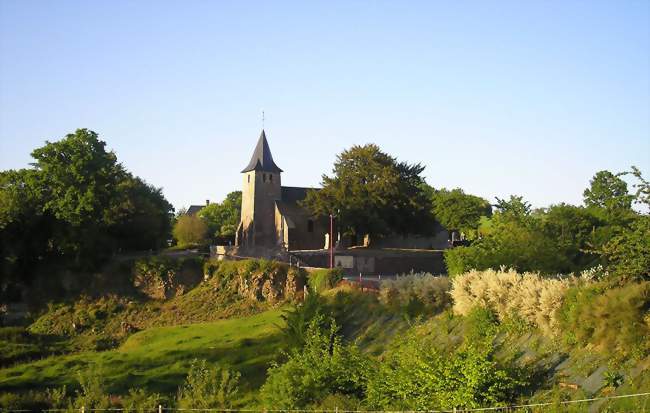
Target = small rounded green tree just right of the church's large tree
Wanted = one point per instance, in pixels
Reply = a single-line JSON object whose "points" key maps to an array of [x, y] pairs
{"points": [[459, 211]]}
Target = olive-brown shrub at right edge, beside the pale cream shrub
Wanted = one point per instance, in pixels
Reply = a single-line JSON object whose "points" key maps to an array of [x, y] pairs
{"points": [[614, 320]]}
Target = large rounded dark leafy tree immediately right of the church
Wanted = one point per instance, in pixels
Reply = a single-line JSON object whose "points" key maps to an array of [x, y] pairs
{"points": [[370, 192]]}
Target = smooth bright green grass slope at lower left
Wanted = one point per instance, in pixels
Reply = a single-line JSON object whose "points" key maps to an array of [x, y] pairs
{"points": [[158, 358]]}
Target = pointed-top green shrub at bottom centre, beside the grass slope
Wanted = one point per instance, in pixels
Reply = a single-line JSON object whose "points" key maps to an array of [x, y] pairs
{"points": [[324, 366]]}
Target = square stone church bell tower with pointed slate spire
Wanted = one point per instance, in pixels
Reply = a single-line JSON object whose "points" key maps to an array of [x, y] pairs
{"points": [[261, 188]]}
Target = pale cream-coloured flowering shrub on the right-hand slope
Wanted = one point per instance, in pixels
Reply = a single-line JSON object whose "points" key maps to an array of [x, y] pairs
{"points": [[531, 297]]}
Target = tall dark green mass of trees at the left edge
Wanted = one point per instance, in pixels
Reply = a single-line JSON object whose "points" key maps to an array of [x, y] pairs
{"points": [[74, 208]]}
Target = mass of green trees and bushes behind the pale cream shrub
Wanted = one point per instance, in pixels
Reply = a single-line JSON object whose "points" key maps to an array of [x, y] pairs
{"points": [[565, 238]]}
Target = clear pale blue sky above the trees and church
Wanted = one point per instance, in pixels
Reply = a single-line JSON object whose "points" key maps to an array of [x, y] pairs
{"points": [[499, 98]]}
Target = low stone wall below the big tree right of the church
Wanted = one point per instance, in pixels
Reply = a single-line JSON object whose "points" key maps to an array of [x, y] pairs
{"points": [[376, 261]]}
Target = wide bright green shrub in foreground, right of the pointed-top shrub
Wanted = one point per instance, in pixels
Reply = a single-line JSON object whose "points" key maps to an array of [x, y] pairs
{"points": [[414, 379]]}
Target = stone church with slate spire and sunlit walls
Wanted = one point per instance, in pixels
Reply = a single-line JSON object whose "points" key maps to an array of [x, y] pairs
{"points": [[271, 216]]}
